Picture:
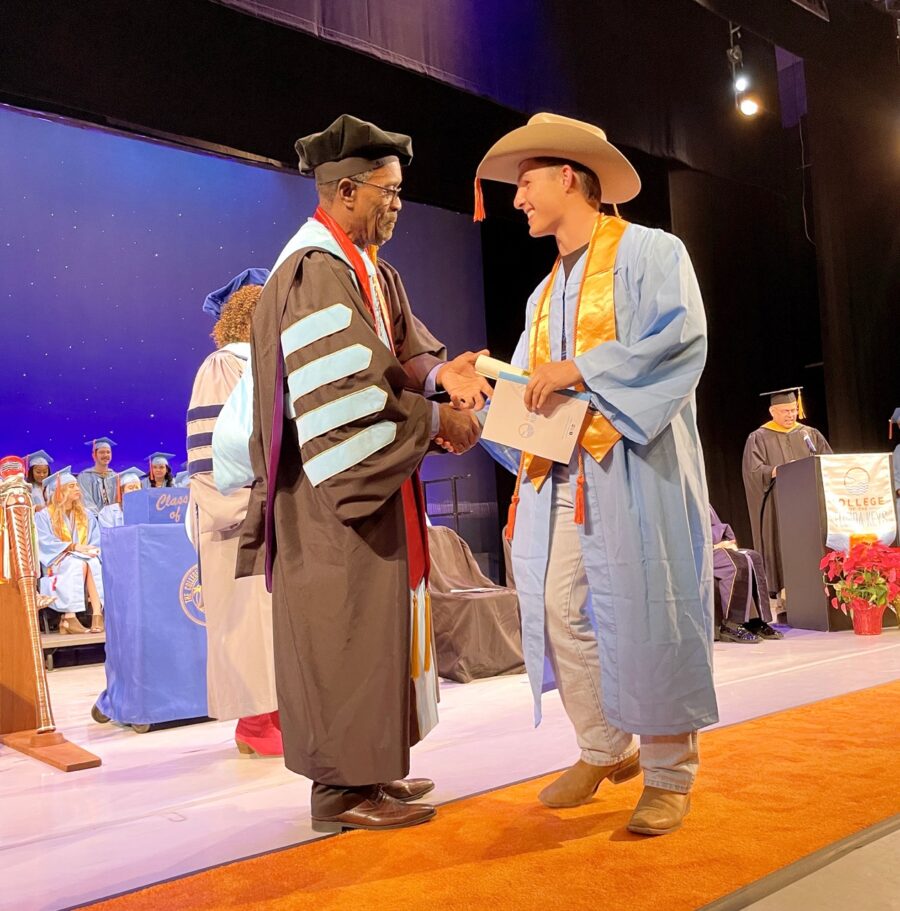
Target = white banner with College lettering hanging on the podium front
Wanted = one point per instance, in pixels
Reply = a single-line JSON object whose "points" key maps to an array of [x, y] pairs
{"points": [[859, 499]]}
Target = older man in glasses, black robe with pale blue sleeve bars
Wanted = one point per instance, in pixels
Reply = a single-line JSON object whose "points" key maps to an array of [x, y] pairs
{"points": [[340, 427]]}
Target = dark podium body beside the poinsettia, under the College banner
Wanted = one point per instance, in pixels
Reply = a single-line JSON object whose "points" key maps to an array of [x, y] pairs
{"points": [[802, 531]]}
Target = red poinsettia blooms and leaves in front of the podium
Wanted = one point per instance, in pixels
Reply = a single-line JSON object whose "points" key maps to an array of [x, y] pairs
{"points": [[866, 577]]}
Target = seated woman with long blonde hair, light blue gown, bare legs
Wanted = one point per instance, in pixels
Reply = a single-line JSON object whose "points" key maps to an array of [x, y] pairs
{"points": [[69, 549]]}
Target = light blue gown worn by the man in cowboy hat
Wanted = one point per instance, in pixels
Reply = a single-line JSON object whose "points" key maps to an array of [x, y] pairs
{"points": [[646, 539]]}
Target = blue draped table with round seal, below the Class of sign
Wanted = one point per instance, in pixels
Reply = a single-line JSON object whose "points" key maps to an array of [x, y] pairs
{"points": [[155, 626]]}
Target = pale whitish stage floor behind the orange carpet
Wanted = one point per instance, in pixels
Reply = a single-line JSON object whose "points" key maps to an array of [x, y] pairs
{"points": [[181, 799]]}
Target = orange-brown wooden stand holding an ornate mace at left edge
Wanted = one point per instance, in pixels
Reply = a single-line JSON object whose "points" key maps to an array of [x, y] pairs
{"points": [[26, 719]]}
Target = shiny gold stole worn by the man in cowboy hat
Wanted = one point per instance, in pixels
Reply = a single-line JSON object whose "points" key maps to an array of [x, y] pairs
{"points": [[595, 323]]}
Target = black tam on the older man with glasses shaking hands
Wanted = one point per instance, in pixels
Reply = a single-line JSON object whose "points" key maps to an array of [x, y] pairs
{"points": [[350, 146]]}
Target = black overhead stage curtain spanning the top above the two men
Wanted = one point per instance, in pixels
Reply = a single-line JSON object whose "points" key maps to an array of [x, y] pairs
{"points": [[653, 74]]}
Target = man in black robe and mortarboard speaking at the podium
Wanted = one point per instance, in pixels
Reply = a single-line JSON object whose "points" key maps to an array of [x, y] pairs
{"points": [[777, 442]]}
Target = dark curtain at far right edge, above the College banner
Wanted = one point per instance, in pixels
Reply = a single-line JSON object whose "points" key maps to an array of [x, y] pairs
{"points": [[855, 169]]}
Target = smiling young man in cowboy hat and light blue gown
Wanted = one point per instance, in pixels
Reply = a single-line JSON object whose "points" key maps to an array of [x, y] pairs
{"points": [[612, 552]]}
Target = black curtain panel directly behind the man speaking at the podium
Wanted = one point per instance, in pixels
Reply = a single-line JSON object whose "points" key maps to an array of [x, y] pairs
{"points": [[757, 311]]}
